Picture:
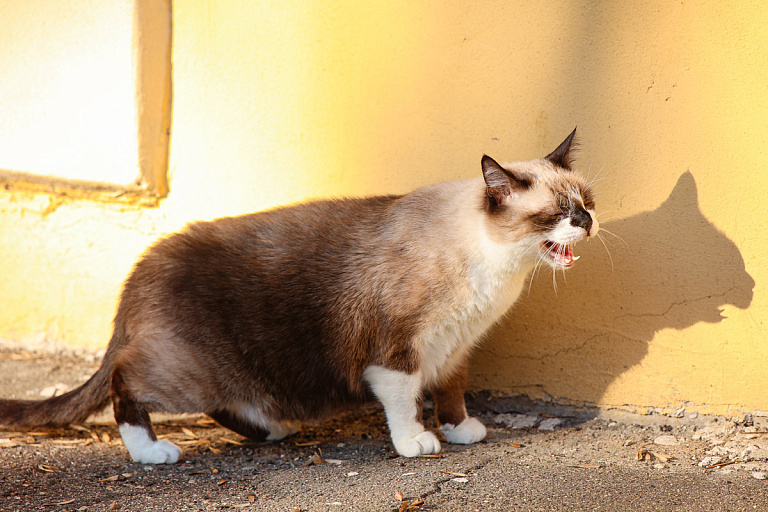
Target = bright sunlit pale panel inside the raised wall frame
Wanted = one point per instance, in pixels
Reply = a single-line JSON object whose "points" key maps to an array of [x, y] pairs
{"points": [[68, 90]]}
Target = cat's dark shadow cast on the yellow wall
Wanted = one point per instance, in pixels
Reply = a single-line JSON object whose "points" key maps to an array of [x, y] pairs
{"points": [[672, 270]]}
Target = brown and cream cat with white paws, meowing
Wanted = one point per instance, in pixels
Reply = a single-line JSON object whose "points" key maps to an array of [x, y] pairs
{"points": [[264, 320]]}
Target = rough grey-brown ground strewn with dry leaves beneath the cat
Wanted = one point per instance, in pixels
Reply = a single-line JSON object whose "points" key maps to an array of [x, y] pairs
{"points": [[534, 458]]}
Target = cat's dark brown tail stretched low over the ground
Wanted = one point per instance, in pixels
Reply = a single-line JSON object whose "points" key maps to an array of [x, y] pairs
{"points": [[70, 408]]}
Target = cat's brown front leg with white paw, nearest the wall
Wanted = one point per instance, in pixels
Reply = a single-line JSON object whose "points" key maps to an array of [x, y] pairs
{"points": [[455, 424]]}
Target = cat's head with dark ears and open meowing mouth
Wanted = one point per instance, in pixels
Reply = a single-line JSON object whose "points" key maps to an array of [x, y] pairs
{"points": [[543, 202]]}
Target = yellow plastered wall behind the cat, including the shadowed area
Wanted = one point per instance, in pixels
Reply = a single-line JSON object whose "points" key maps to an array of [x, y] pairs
{"points": [[274, 104]]}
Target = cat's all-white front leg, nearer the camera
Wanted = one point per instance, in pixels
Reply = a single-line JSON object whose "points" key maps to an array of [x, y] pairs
{"points": [[400, 393]]}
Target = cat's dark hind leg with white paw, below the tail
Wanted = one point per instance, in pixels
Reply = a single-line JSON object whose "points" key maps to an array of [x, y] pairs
{"points": [[136, 429]]}
